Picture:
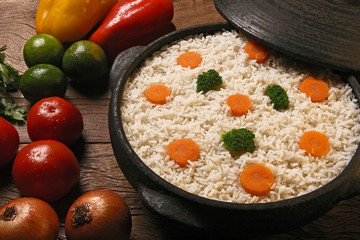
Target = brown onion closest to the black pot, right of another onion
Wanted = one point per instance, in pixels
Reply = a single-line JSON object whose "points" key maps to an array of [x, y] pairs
{"points": [[98, 214]]}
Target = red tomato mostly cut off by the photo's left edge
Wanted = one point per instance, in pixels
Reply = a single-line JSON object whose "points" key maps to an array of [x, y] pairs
{"points": [[9, 142]]}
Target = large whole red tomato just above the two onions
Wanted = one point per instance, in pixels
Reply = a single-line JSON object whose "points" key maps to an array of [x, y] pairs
{"points": [[45, 169]]}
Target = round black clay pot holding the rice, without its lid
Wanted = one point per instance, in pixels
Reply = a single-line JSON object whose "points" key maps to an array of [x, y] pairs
{"points": [[192, 210]]}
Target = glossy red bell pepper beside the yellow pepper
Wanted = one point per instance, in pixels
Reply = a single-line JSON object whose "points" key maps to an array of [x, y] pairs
{"points": [[132, 23]]}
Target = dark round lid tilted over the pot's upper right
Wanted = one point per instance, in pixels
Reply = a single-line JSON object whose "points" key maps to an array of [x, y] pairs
{"points": [[322, 32]]}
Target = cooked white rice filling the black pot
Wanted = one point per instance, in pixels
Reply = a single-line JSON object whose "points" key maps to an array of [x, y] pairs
{"points": [[203, 117]]}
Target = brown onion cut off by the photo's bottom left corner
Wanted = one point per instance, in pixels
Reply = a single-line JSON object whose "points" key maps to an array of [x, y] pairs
{"points": [[28, 219]]}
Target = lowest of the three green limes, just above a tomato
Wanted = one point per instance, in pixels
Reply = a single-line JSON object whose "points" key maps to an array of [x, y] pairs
{"points": [[42, 80]]}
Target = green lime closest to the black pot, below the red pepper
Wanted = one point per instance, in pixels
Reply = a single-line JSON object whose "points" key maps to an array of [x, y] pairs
{"points": [[85, 62]]}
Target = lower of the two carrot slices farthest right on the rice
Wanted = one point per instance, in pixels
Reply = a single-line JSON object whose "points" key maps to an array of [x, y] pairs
{"points": [[314, 143]]}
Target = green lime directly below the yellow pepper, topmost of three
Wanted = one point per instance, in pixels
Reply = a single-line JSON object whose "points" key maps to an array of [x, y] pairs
{"points": [[43, 48]]}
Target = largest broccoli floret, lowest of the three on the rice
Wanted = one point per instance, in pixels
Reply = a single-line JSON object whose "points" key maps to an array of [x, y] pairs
{"points": [[239, 140]]}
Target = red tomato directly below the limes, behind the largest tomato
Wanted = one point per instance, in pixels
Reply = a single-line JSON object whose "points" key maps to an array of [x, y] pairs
{"points": [[55, 118]]}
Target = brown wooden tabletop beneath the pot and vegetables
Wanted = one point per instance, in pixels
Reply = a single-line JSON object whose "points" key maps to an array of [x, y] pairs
{"points": [[99, 169]]}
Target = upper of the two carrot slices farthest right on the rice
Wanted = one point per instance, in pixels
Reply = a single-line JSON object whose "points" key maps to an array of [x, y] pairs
{"points": [[317, 90]]}
